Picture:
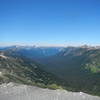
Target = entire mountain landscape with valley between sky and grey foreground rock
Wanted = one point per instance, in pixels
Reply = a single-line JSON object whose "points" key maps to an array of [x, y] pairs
{"points": [[73, 68]]}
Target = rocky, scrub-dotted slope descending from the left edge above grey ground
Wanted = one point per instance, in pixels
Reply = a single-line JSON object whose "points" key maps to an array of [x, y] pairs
{"points": [[26, 71]]}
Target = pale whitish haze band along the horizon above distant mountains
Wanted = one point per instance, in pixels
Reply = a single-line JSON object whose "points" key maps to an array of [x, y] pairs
{"points": [[4, 44]]}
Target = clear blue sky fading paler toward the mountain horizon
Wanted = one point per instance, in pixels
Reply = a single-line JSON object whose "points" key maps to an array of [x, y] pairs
{"points": [[50, 22]]}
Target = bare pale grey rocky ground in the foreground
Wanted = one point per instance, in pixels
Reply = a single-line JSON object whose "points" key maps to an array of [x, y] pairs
{"points": [[23, 92]]}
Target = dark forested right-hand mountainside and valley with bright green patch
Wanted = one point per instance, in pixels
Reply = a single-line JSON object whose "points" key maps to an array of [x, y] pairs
{"points": [[78, 67]]}
